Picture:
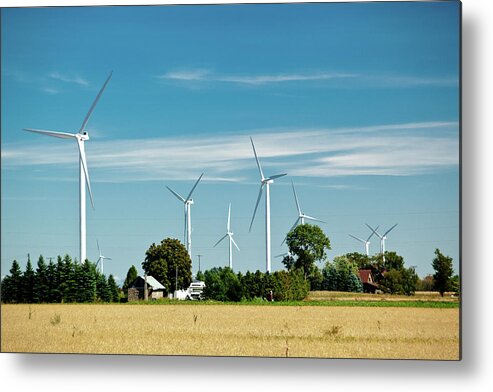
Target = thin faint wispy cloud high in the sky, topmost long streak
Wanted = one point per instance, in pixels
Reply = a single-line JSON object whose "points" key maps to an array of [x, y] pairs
{"points": [[352, 80]]}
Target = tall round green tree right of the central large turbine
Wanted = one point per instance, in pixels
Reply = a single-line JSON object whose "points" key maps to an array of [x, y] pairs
{"points": [[307, 243]]}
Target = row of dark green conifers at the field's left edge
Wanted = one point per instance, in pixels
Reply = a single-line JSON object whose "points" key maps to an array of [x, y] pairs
{"points": [[60, 282]]}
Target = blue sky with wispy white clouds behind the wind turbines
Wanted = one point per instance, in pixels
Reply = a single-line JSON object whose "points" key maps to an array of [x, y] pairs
{"points": [[358, 103]]}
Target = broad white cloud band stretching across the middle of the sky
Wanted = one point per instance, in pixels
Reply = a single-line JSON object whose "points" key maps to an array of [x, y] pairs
{"points": [[397, 150]]}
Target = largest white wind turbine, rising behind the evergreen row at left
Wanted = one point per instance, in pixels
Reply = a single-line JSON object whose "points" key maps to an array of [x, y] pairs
{"points": [[80, 137]]}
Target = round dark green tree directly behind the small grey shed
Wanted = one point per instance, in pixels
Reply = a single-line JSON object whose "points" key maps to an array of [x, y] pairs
{"points": [[169, 263]]}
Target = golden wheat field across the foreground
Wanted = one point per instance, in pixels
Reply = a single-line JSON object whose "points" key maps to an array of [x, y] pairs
{"points": [[229, 330]]}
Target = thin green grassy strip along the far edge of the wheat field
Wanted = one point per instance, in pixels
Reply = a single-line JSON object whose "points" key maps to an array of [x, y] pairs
{"points": [[348, 303]]}
